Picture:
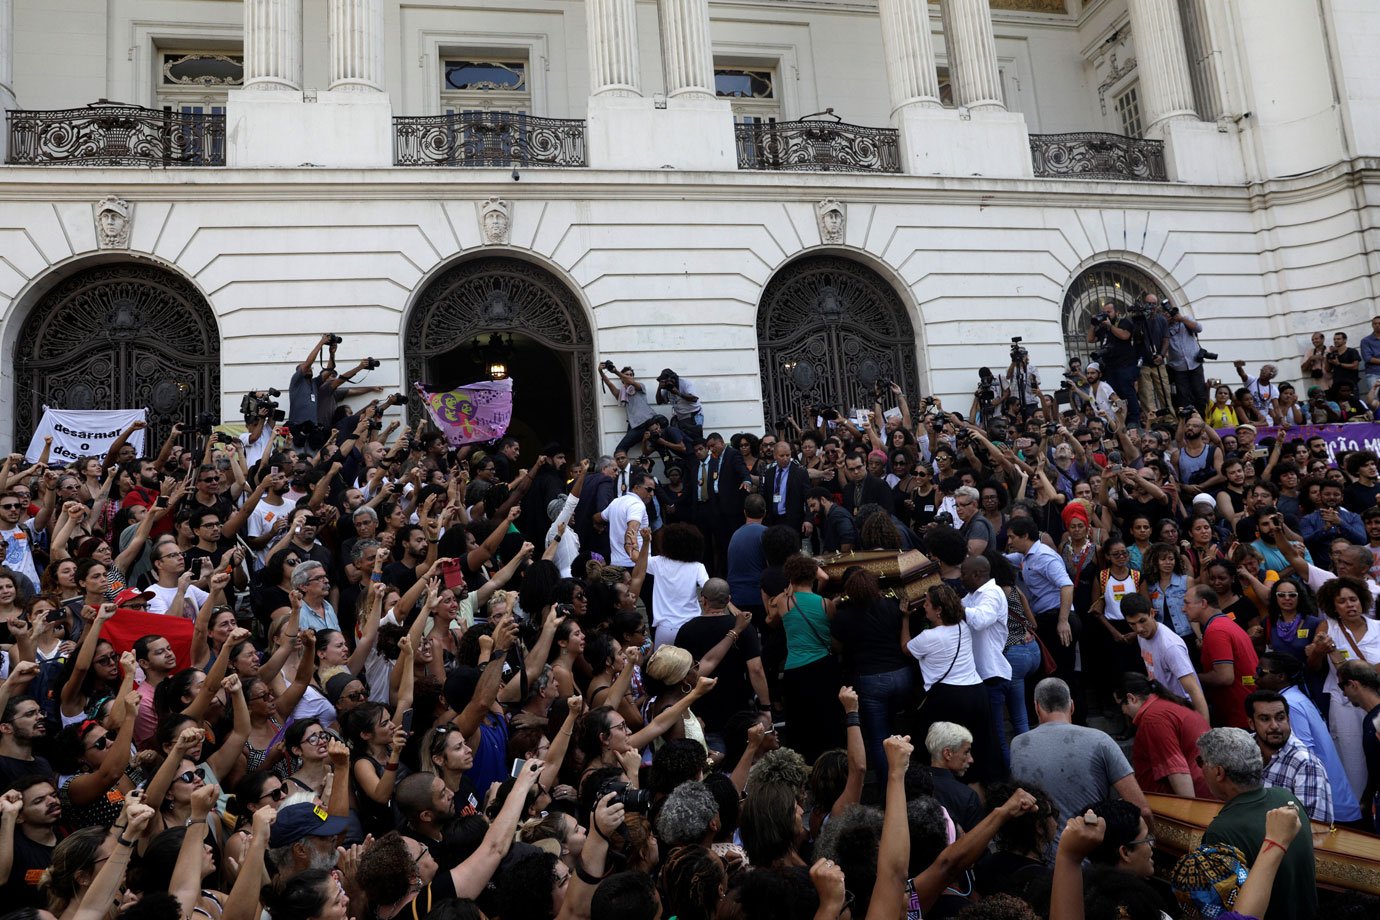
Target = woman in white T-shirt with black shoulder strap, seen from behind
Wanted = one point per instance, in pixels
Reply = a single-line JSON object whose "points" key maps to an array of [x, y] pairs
{"points": [[953, 689]]}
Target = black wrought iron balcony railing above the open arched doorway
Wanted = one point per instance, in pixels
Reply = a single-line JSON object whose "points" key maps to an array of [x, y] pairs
{"points": [[488, 140]]}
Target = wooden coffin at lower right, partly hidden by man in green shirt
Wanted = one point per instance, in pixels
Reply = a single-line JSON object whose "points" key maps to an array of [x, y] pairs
{"points": [[1346, 860]]}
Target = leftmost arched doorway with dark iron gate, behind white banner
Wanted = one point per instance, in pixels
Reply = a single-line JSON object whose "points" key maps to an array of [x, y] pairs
{"points": [[119, 336]]}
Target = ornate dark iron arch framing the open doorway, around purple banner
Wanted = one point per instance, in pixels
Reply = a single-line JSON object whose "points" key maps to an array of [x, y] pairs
{"points": [[502, 294]]}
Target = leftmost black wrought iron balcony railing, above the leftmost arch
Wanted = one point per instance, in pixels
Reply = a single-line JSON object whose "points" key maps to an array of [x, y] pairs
{"points": [[117, 134]]}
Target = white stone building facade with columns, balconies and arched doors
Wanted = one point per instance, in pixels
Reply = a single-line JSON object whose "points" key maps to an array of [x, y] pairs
{"points": [[691, 199]]}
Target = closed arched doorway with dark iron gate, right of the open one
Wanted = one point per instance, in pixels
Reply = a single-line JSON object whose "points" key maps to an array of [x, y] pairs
{"points": [[829, 330]]}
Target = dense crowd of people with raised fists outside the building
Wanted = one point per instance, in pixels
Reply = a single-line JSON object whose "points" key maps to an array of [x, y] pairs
{"points": [[408, 679]]}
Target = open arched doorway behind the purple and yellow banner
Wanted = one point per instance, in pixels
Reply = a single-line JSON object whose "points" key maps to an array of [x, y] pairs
{"points": [[543, 337]]}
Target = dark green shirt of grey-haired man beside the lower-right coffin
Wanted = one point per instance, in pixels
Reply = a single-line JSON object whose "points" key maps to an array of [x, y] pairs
{"points": [[1243, 824]]}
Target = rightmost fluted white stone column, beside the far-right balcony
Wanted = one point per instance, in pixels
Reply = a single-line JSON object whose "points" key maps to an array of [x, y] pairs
{"points": [[1167, 89]]}
